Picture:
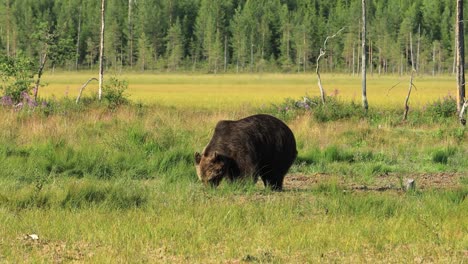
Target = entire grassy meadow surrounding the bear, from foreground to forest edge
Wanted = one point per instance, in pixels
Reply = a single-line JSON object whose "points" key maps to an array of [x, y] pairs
{"points": [[100, 184]]}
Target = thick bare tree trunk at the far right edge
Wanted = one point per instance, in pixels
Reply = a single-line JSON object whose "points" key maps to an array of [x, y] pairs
{"points": [[459, 31]]}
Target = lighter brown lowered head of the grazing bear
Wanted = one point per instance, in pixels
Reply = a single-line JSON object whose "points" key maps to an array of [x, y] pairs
{"points": [[211, 167]]}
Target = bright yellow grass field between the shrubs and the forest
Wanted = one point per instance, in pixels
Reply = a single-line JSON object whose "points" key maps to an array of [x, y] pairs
{"points": [[237, 90]]}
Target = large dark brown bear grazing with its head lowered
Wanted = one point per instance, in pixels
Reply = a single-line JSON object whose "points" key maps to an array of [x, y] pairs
{"points": [[256, 146]]}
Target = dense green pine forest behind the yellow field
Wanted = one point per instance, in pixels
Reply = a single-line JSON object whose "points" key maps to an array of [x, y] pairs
{"points": [[232, 35]]}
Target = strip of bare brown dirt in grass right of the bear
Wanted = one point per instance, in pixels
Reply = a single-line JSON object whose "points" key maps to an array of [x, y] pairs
{"points": [[384, 182]]}
